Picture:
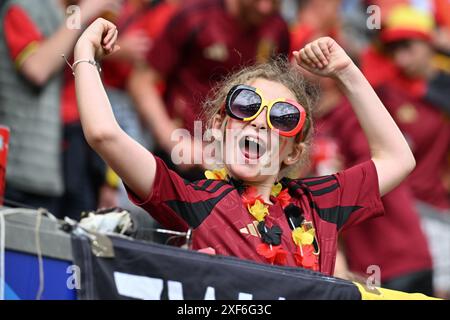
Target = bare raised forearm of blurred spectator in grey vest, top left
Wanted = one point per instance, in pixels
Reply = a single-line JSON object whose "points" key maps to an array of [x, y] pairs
{"points": [[45, 60]]}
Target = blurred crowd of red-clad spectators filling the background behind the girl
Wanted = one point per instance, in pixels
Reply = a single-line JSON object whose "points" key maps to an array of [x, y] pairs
{"points": [[174, 52]]}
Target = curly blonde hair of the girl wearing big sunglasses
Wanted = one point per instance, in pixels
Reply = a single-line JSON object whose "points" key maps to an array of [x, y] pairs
{"points": [[278, 70]]}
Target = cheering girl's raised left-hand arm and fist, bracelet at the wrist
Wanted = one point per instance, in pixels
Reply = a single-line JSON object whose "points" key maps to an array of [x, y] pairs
{"points": [[132, 162]]}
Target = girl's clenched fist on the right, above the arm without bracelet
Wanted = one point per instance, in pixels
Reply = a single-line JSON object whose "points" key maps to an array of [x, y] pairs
{"points": [[323, 57]]}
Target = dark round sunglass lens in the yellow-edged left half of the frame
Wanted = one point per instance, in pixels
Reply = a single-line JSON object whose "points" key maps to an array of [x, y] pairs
{"points": [[245, 103]]}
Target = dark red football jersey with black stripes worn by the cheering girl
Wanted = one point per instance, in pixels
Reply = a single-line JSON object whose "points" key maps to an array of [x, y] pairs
{"points": [[214, 209]]}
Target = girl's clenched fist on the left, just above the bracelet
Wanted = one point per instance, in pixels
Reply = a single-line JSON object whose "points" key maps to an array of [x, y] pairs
{"points": [[98, 40]]}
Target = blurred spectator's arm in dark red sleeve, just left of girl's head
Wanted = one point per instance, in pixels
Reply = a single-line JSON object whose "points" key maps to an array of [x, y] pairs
{"points": [[166, 54]]}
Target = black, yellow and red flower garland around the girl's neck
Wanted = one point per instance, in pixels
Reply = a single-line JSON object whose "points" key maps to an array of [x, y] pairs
{"points": [[303, 233]]}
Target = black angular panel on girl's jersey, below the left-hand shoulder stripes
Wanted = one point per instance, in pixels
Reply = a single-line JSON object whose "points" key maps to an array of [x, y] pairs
{"points": [[194, 213]]}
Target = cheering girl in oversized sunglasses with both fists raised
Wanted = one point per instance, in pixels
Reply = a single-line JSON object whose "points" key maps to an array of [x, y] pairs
{"points": [[244, 211]]}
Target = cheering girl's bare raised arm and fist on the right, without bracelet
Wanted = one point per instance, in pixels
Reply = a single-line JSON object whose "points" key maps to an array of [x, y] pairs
{"points": [[389, 150]]}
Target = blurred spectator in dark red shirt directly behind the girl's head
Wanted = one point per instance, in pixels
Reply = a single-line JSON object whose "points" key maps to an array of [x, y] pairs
{"points": [[202, 43]]}
